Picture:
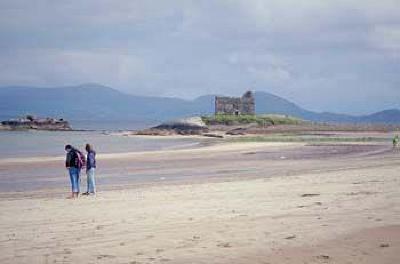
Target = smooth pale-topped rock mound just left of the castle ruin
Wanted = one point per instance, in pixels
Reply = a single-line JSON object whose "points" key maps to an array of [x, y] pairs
{"points": [[187, 126]]}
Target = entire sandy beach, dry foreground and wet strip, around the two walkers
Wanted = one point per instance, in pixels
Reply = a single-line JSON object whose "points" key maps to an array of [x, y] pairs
{"points": [[229, 203]]}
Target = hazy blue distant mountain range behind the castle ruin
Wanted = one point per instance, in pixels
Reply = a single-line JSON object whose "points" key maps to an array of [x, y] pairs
{"points": [[94, 102]]}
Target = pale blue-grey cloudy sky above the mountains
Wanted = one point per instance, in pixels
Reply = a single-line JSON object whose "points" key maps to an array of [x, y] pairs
{"points": [[341, 56]]}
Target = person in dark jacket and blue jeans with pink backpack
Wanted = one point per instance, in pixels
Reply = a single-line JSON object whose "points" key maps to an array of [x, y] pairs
{"points": [[74, 162]]}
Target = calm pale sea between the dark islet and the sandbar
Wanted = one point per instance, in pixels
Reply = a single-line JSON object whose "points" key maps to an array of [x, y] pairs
{"points": [[51, 143]]}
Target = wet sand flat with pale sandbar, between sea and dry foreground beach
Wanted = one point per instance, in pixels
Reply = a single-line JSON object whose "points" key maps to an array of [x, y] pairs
{"points": [[202, 163]]}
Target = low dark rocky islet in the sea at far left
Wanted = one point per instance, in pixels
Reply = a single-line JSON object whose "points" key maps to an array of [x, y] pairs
{"points": [[32, 122]]}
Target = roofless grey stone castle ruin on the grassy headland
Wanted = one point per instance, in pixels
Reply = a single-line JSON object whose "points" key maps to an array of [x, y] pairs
{"points": [[244, 105]]}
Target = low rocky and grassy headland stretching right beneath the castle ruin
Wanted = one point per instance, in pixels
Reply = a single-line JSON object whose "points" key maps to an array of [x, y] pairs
{"points": [[266, 128]]}
